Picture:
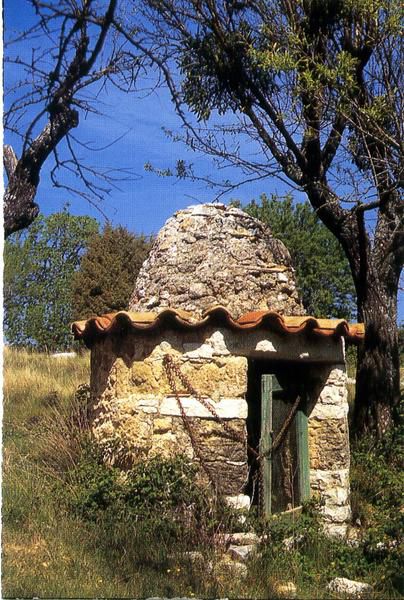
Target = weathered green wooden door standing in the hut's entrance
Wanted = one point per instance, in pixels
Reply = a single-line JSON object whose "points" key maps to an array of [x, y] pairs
{"points": [[285, 472]]}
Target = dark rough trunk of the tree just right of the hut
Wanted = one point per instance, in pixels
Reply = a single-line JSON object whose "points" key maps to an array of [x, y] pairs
{"points": [[378, 370]]}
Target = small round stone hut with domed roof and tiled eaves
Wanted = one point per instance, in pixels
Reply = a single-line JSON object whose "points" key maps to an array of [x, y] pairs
{"points": [[216, 360]]}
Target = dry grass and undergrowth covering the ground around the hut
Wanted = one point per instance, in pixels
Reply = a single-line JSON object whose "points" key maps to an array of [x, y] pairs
{"points": [[70, 527]]}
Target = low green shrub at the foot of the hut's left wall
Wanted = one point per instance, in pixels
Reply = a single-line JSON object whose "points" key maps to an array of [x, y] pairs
{"points": [[162, 493]]}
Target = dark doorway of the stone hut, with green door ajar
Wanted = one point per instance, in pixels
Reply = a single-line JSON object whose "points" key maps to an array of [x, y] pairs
{"points": [[277, 428]]}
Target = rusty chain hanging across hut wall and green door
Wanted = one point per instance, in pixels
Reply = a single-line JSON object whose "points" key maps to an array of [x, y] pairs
{"points": [[171, 369]]}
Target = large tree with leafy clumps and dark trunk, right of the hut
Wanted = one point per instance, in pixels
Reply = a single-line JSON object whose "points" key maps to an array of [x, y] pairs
{"points": [[310, 91]]}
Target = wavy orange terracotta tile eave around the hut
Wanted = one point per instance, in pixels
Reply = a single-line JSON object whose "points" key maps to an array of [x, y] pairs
{"points": [[95, 327]]}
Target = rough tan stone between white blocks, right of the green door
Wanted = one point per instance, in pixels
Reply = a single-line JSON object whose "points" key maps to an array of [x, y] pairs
{"points": [[328, 448]]}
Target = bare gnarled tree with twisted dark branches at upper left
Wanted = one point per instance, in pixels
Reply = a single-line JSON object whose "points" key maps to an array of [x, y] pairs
{"points": [[72, 49]]}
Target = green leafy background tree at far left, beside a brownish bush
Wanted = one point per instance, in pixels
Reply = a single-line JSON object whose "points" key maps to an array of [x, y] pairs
{"points": [[38, 273]]}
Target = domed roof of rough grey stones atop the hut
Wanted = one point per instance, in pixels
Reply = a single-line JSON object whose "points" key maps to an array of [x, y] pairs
{"points": [[211, 254]]}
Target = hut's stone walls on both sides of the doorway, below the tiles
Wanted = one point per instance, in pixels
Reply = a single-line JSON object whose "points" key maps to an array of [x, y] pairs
{"points": [[136, 415]]}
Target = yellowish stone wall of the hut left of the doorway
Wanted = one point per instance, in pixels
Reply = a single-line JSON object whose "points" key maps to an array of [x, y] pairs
{"points": [[136, 415]]}
